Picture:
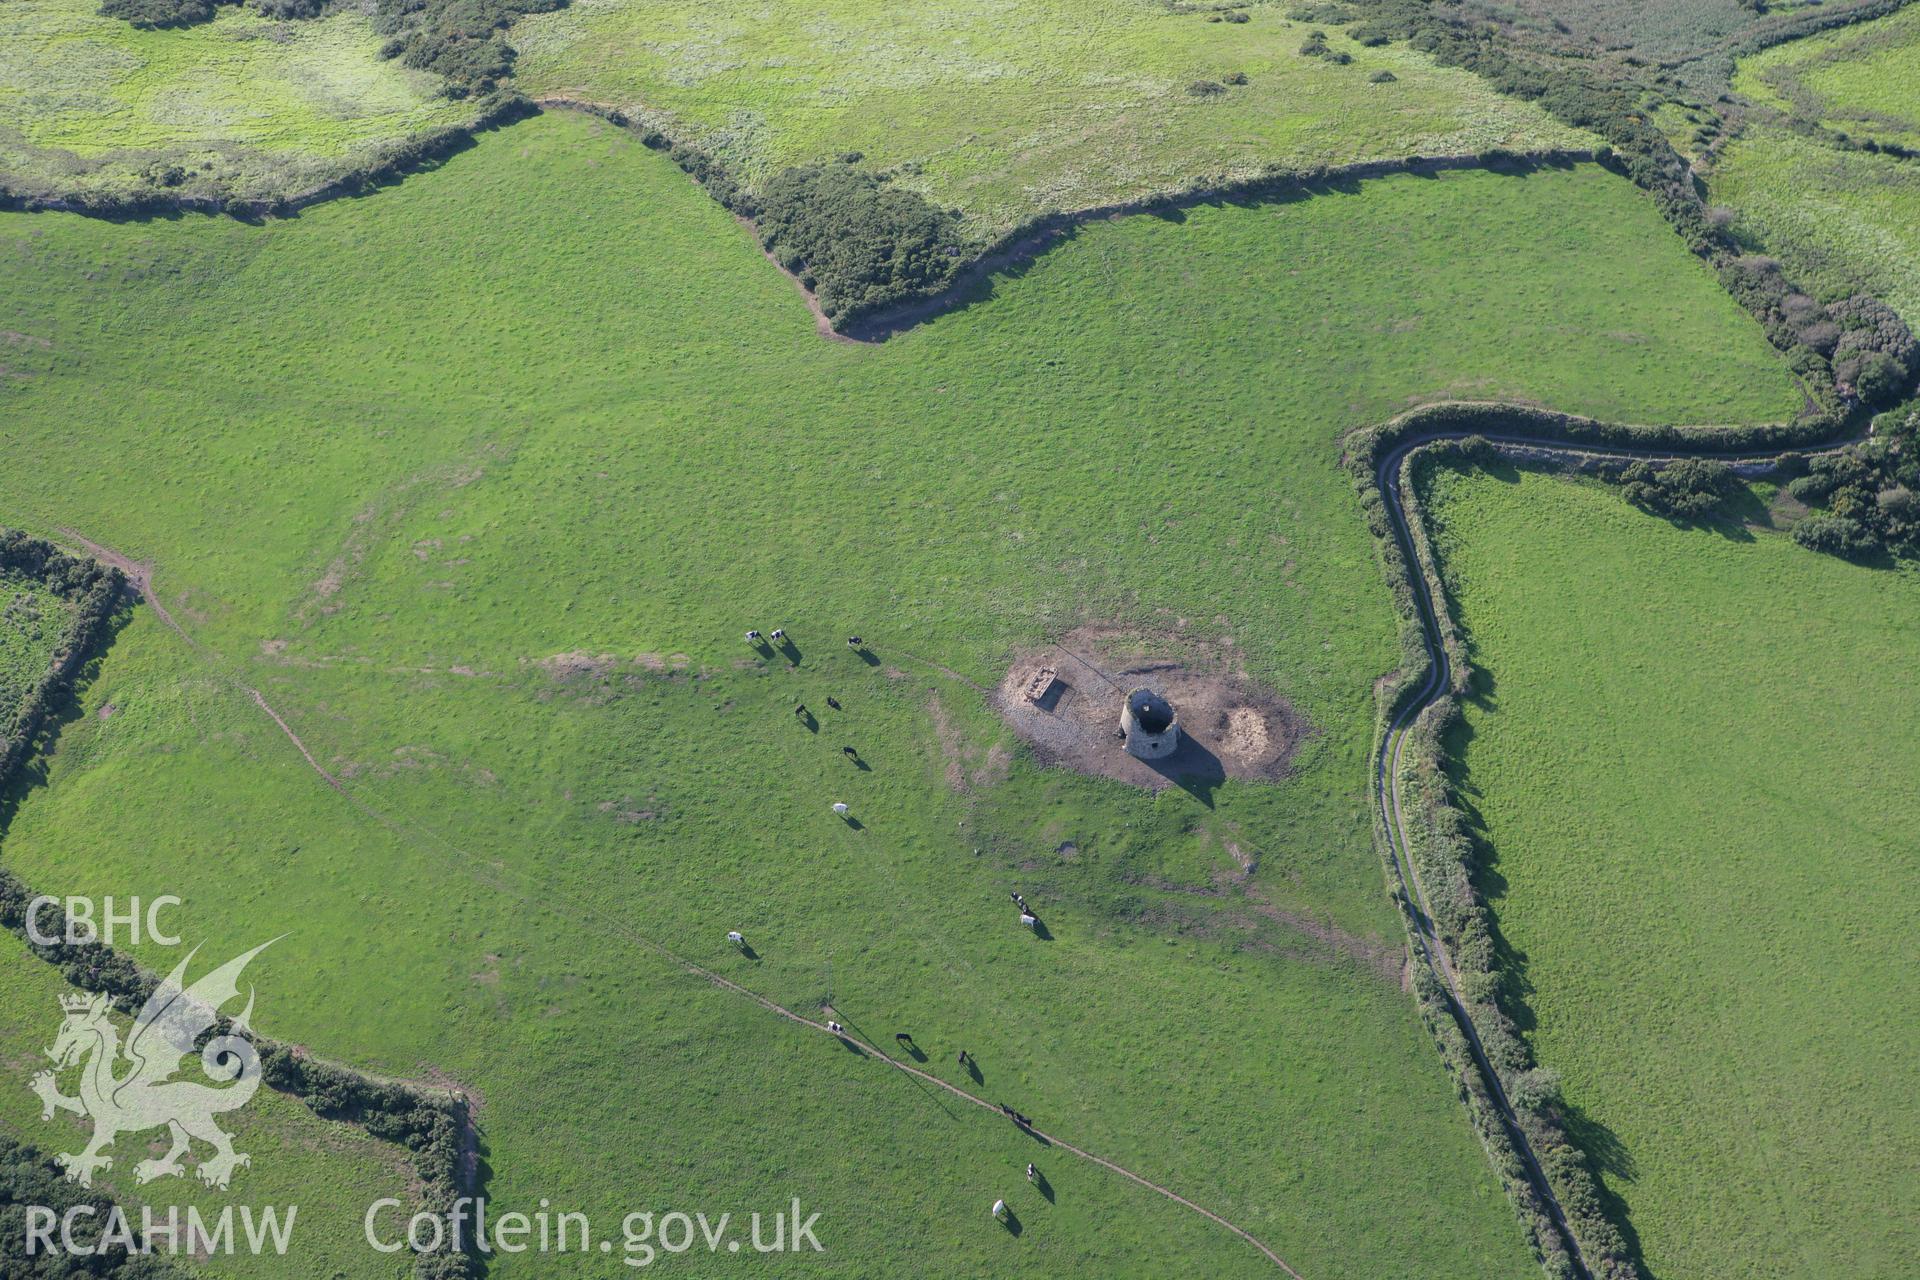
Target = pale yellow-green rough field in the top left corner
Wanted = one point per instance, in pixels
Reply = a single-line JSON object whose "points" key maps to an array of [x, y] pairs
{"points": [[241, 107]]}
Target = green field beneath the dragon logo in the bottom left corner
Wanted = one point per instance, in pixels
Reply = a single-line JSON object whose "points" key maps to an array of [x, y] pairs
{"points": [[327, 1172]]}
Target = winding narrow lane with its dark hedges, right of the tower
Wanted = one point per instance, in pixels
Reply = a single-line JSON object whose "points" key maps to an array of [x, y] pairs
{"points": [[1422, 834]]}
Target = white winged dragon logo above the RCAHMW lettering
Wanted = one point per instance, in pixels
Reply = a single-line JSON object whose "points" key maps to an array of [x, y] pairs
{"points": [[143, 1099]]}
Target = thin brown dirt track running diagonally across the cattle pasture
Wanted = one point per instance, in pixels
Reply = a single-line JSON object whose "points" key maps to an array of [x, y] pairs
{"points": [[143, 579]]}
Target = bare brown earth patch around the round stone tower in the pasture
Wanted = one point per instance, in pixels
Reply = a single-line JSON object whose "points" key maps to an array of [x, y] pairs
{"points": [[1067, 698]]}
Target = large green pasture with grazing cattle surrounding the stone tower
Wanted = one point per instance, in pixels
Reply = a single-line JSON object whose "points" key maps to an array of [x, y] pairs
{"points": [[485, 525]]}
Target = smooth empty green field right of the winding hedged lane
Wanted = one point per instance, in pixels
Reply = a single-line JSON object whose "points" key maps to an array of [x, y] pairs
{"points": [[1689, 759]]}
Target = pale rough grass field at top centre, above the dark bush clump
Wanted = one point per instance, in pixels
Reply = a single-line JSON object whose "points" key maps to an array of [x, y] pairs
{"points": [[1017, 108]]}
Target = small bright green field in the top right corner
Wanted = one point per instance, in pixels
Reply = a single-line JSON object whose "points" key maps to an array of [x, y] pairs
{"points": [[1858, 80]]}
